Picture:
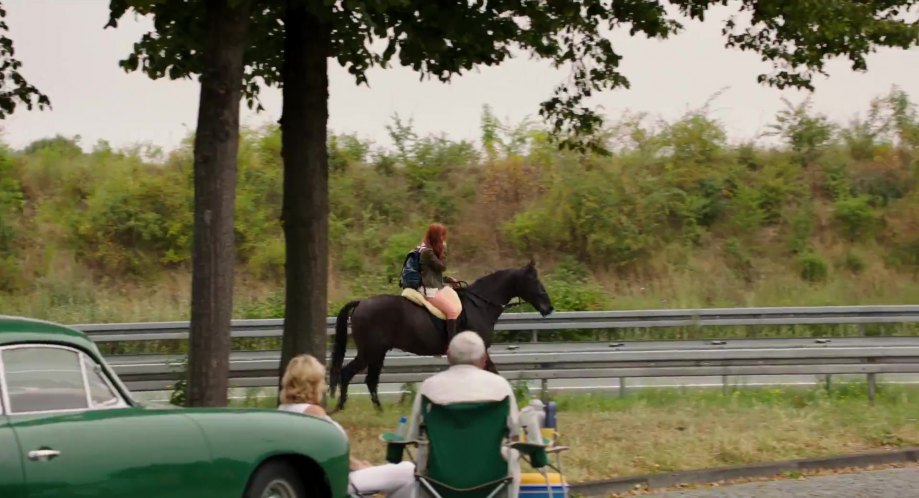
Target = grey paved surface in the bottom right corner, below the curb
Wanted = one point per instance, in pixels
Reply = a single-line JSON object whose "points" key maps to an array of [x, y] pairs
{"points": [[892, 483]]}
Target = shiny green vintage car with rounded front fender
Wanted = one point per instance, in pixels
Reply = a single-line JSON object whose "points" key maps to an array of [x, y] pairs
{"points": [[69, 428]]}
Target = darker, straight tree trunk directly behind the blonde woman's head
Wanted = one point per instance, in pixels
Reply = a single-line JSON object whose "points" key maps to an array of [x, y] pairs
{"points": [[306, 181]]}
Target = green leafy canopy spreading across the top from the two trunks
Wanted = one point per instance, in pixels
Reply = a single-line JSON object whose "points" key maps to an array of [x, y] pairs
{"points": [[442, 40]]}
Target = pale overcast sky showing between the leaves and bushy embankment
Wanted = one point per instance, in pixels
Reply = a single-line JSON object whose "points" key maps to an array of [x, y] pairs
{"points": [[68, 55]]}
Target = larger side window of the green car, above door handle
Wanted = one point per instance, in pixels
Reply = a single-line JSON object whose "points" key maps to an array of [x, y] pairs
{"points": [[43, 379]]}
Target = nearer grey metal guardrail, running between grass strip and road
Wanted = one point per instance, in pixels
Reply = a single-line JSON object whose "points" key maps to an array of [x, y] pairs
{"points": [[622, 361]]}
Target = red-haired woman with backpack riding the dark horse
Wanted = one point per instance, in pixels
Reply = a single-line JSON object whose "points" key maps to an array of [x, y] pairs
{"points": [[433, 263]]}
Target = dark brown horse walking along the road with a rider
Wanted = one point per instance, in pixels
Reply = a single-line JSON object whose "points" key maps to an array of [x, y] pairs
{"points": [[383, 322]]}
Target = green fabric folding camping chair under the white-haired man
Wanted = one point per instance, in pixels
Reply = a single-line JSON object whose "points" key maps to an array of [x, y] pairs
{"points": [[461, 448]]}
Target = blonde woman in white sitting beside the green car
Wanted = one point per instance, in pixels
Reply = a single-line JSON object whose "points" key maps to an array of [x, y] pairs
{"points": [[301, 392]]}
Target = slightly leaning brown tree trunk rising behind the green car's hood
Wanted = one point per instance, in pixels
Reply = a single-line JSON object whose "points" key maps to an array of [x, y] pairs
{"points": [[213, 253]]}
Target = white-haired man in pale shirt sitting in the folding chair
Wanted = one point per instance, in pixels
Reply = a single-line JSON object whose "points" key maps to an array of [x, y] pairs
{"points": [[467, 381]]}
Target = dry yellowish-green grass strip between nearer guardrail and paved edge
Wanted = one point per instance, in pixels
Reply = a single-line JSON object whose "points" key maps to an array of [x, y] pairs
{"points": [[669, 429]]}
